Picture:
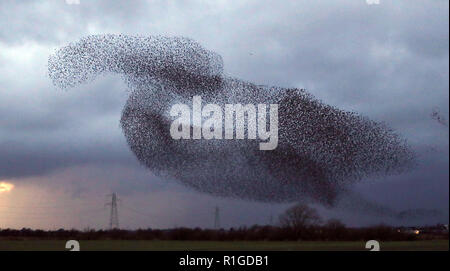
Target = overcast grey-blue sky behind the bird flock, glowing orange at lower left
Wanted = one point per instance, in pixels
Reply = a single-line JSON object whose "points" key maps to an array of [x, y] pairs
{"points": [[64, 150]]}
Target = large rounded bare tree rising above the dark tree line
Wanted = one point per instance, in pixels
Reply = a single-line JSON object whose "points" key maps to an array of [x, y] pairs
{"points": [[300, 216]]}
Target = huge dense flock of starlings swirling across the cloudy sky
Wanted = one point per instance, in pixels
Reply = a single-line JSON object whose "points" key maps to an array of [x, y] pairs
{"points": [[321, 151]]}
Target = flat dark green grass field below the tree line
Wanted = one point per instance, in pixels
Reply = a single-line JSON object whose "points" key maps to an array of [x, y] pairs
{"points": [[128, 245]]}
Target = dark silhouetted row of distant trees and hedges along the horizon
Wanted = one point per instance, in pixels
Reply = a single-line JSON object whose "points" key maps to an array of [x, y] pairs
{"points": [[298, 223]]}
